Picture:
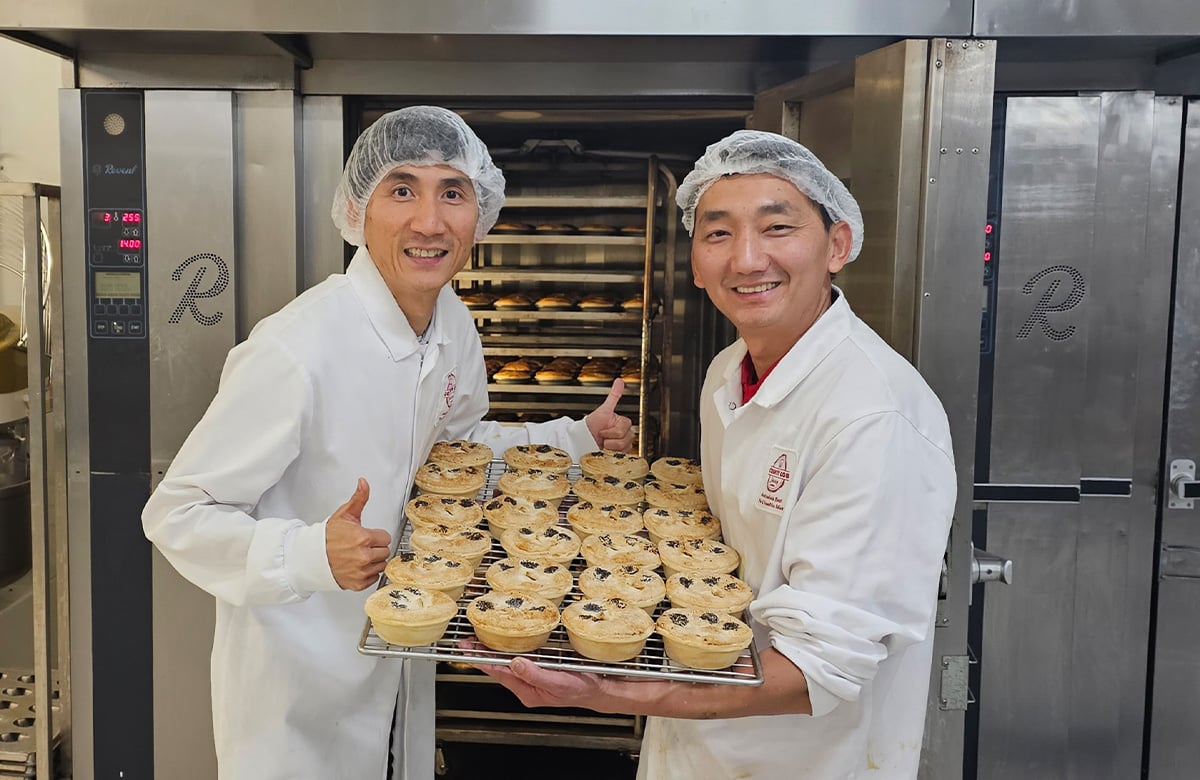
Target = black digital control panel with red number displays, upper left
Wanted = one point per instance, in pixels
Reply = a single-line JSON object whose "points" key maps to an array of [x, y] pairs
{"points": [[117, 226]]}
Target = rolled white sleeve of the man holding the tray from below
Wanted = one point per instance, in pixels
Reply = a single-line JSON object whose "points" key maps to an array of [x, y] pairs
{"points": [[862, 556]]}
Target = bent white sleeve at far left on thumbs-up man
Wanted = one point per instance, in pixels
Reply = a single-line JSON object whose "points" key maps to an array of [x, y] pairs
{"points": [[201, 515]]}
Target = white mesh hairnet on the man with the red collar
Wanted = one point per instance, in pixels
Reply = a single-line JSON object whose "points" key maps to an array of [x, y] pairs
{"points": [[749, 152]]}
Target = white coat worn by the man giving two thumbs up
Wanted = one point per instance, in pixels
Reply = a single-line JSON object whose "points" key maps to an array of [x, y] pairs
{"points": [[331, 388]]}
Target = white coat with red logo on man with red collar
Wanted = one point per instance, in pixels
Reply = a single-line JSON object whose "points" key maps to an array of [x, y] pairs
{"points": [[837, 484]]}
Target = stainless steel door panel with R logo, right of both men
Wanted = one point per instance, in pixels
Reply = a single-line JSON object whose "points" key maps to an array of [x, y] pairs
{"points": [[1051, 171]]}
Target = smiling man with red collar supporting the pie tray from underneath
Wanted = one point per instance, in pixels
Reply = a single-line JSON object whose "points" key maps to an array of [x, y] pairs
{"points": [[829, 461]]}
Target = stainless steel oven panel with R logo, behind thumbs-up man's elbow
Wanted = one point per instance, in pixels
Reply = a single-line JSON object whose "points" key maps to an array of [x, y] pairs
{"points": [[191, 285]]}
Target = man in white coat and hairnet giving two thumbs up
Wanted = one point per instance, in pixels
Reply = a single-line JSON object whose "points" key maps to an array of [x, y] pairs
{"points": [[349, 386]]}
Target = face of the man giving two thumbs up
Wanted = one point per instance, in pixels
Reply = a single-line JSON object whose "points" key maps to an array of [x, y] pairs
{"points": [[419, 230]]}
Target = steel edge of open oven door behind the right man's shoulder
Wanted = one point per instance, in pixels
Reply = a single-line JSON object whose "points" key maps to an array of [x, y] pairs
{"points": [[946, 349]]}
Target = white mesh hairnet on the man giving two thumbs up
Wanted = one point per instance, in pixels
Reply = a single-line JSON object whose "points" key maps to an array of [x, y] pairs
{"points": [[416, 136]]}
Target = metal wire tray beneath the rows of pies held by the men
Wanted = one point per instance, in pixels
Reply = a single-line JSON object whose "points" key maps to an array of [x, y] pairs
{"points": [[652, 663]]}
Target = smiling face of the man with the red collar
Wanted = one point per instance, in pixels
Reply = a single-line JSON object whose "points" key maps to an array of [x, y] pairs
{"points": [[765, 257]]}
